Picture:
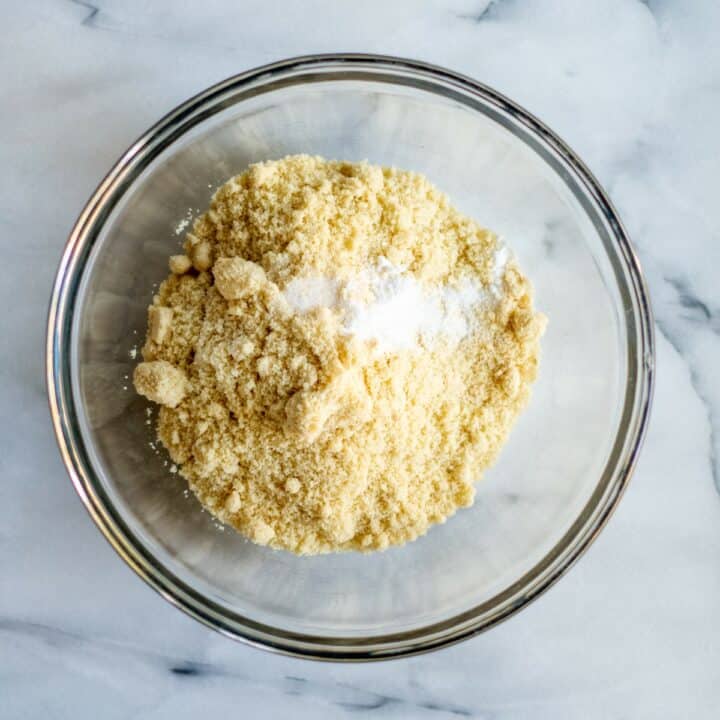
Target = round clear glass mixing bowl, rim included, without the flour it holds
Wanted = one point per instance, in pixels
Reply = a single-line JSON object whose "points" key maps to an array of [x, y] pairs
{"points": [[568, 459]]}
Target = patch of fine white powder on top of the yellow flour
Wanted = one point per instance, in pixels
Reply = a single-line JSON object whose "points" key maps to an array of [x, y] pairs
{"points": [[386, 305]]}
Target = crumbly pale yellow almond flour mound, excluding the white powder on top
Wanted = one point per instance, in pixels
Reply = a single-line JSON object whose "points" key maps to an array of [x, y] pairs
{"points": [[296, 432]]}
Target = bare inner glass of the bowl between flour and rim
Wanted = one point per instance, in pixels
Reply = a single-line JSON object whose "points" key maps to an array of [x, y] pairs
{"points": [[559, 450]]}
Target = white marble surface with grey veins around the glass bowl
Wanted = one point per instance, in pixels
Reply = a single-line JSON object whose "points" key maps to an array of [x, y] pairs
{"points": [[634, 630]]}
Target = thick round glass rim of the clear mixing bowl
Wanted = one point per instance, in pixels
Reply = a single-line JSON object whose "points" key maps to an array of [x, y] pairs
{"points": [[586, 527]]}
